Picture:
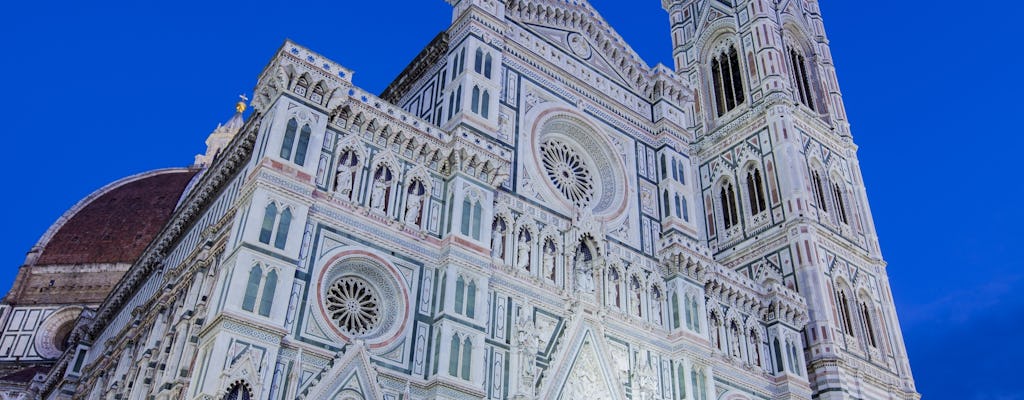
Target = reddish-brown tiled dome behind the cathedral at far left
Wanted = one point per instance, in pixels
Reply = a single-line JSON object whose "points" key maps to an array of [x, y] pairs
{"points": [[116, 224]]}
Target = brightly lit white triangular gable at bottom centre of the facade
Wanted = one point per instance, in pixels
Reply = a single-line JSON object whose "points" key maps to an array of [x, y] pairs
{"points": [[587, 375]]}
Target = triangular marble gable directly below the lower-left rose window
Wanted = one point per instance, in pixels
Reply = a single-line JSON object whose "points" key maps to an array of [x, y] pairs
{"points": [[352, 374]]}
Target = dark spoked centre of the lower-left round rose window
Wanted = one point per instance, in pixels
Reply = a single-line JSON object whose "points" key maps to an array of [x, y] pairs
{"points": [[354, 305]]}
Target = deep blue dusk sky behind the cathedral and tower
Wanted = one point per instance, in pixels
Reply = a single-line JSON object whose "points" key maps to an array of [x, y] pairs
{"points": [[96, 92]]}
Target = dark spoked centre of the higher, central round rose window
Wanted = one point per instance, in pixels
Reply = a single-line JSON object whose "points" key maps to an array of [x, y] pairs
{"points": [[569, 172]]}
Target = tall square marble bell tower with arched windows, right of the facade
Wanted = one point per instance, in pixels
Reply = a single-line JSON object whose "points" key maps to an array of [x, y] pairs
{"points": [[783, 195]]}
